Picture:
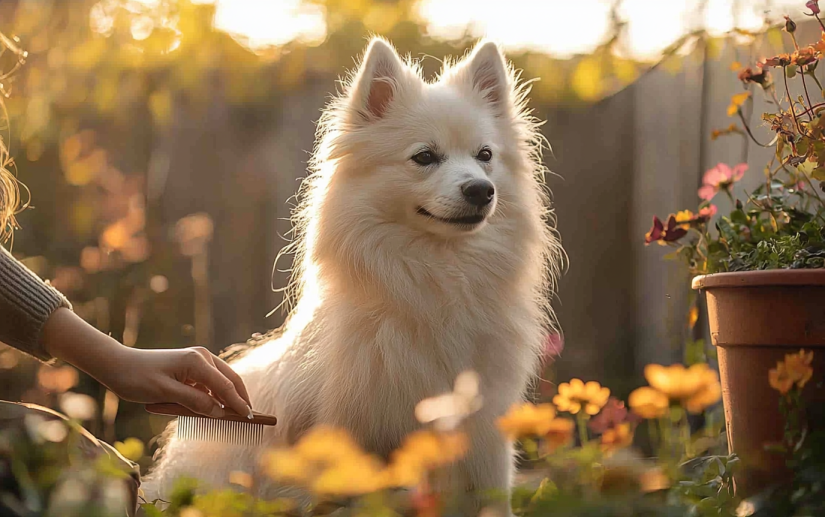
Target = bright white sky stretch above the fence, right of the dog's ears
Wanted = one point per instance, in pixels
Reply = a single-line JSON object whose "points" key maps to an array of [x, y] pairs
{"points": [[563, 28]]}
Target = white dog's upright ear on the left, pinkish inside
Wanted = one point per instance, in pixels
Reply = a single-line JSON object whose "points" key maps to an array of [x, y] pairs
{"points": [[376, 82]]}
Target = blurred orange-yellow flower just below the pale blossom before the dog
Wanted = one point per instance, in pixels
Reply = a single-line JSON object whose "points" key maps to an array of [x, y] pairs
{"points": [[423, 451]]}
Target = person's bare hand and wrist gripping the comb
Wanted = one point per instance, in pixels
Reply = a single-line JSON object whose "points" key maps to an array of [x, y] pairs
{"points": [[191, 377]]}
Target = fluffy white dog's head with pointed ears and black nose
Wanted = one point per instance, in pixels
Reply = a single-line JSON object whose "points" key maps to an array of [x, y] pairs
{"points": [[437, 157]]}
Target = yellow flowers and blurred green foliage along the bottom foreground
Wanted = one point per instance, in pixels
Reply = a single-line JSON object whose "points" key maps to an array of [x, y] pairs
{"points": [[686, 476]]}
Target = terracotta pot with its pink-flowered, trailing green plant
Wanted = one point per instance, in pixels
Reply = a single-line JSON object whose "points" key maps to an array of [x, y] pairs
{"points": [[762, 266]]}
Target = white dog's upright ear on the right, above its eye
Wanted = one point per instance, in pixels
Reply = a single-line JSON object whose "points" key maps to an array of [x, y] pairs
{"points": [[485, 70]]}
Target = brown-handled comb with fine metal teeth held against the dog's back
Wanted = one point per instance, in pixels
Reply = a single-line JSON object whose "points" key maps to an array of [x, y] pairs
{"points": [[231, 428]]}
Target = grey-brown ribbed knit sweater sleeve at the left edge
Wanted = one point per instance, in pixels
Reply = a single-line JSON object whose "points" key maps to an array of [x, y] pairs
{"points": [[26, 302]]}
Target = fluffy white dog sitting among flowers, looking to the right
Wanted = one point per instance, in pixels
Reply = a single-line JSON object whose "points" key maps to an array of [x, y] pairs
{"points": [[424, 248]]}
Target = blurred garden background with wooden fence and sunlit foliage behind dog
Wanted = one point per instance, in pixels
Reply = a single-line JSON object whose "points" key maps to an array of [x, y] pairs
{"points": [[163, 141]]}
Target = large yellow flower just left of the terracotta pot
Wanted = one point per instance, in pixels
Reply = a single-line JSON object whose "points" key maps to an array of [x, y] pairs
{"points": [[696, 387]]}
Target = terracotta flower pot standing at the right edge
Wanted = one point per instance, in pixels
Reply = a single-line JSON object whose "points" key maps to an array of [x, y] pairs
{"points": [[755, 318]]}
